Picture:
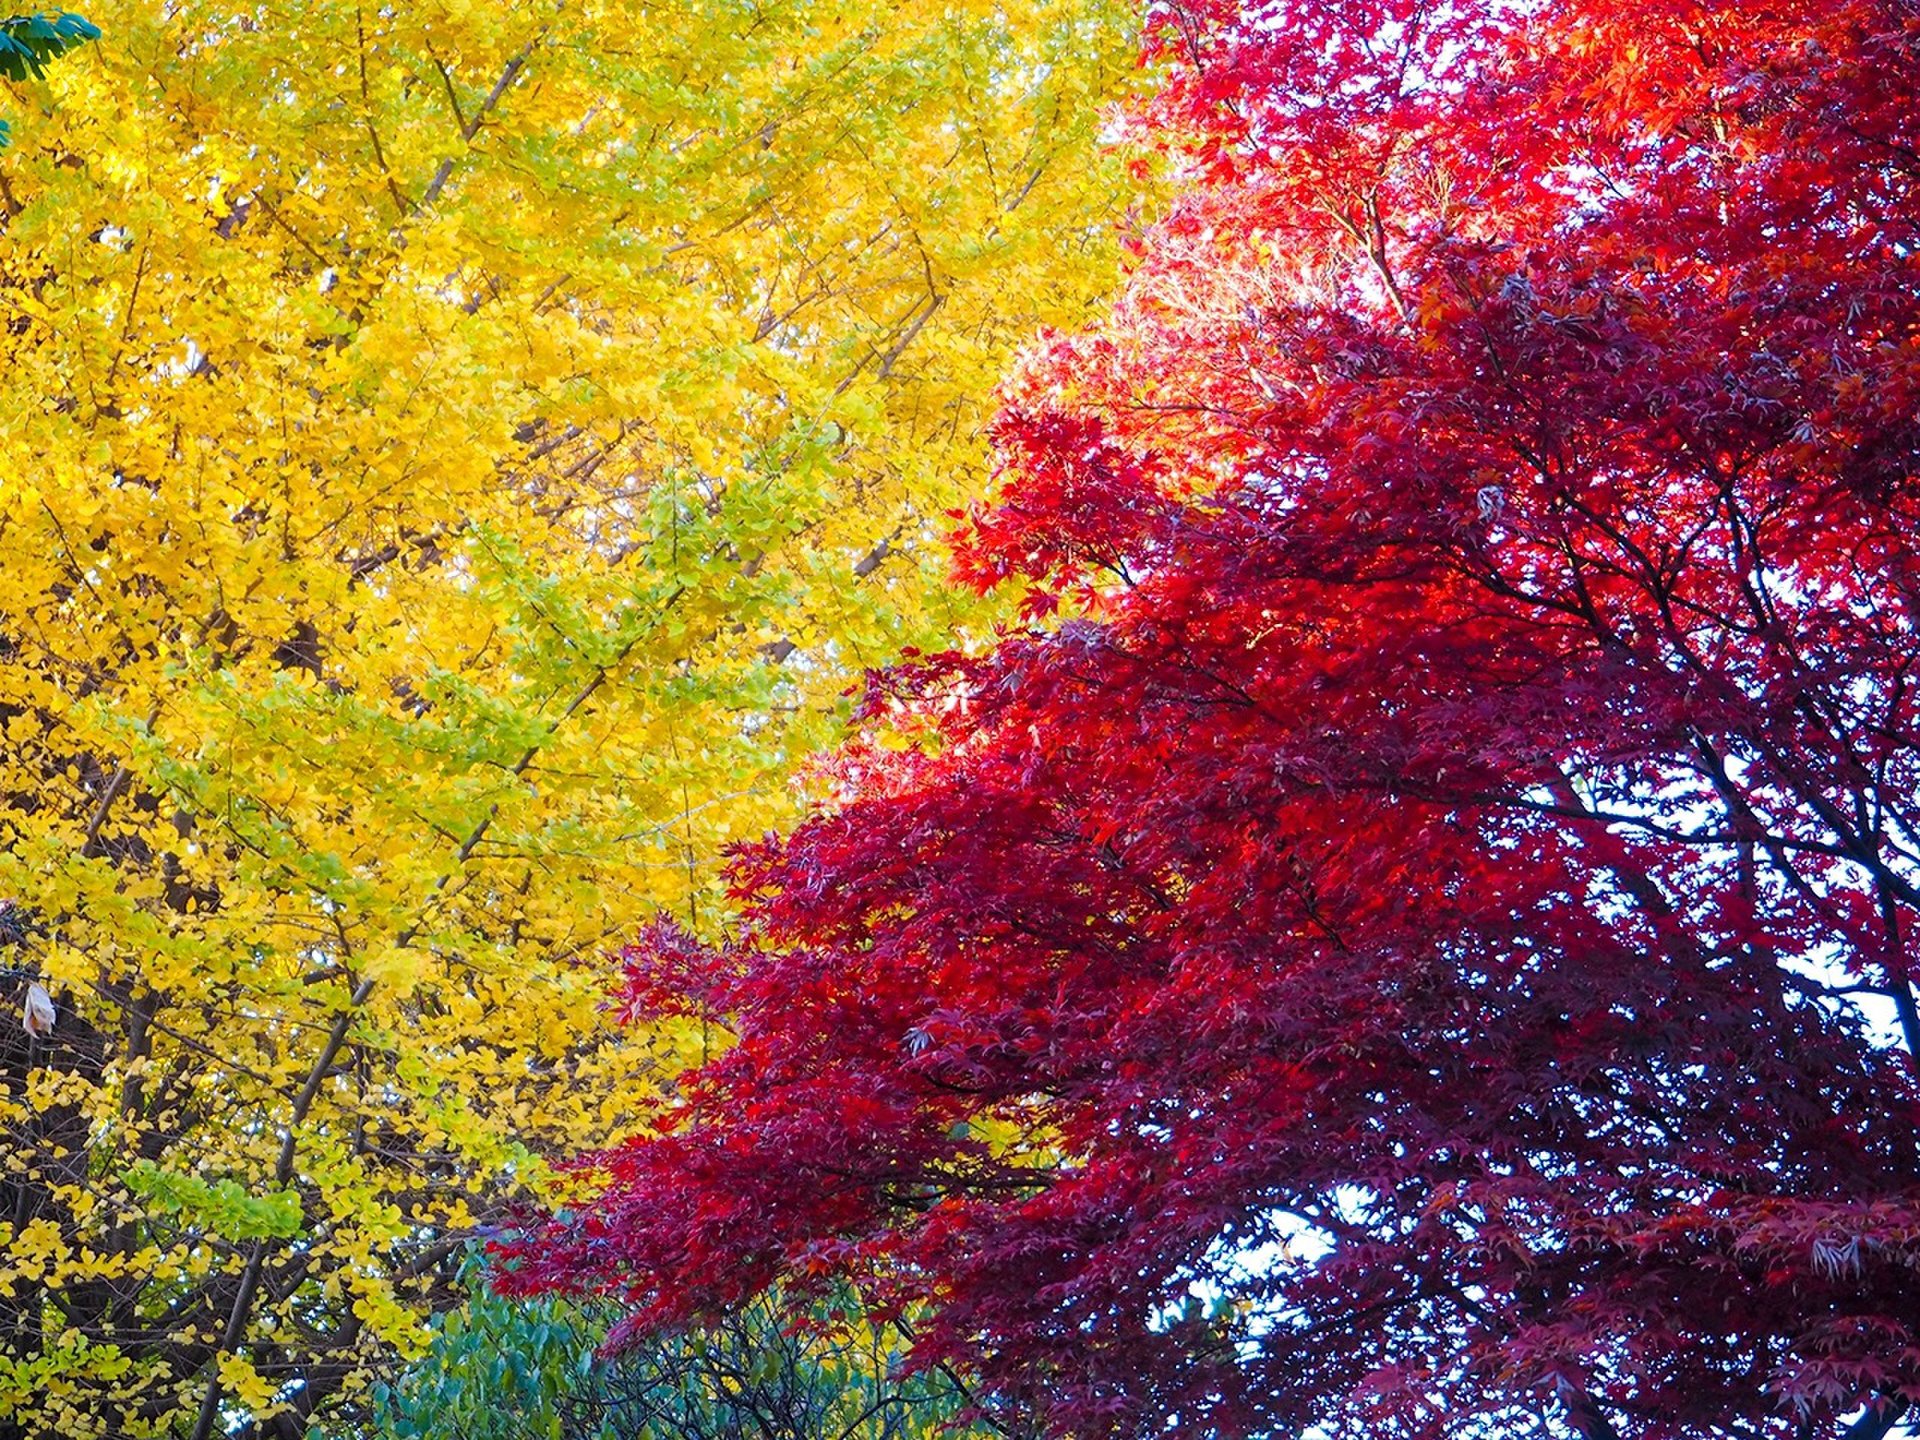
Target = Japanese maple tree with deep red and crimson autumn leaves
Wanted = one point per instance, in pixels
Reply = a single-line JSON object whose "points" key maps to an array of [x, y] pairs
{"points": [[1428, 944]]}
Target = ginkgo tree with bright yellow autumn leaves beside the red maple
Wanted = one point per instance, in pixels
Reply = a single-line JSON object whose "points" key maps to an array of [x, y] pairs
{"points": [[454, 458]]}
